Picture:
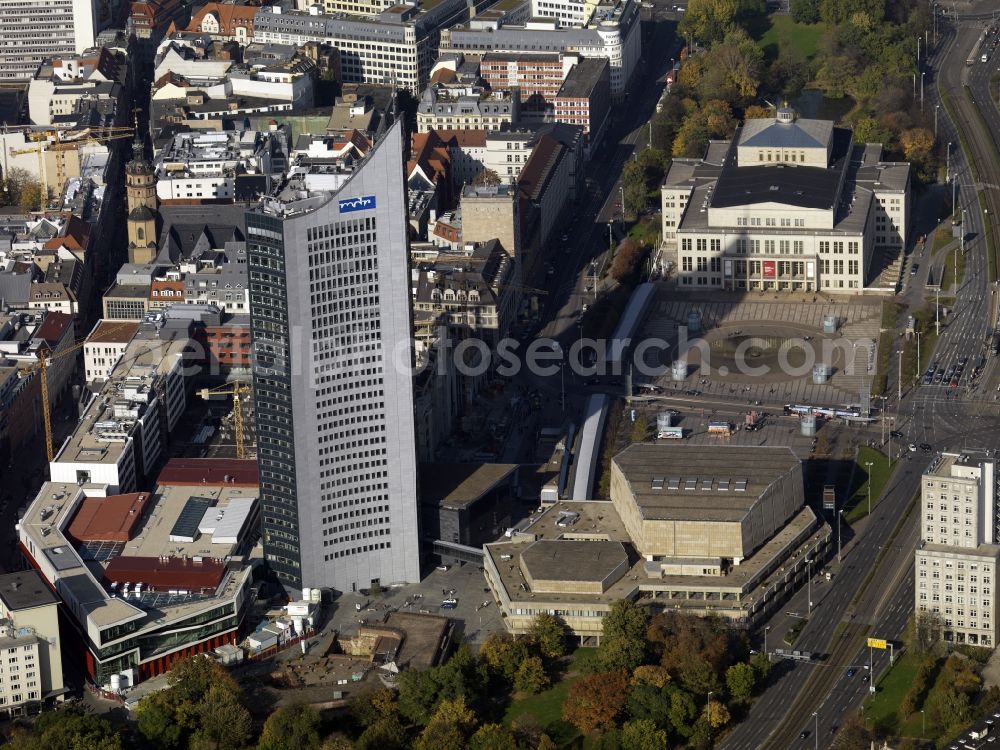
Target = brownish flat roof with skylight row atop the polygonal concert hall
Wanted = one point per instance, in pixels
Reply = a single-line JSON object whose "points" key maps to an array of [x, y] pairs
{"points": [[692, 483]]}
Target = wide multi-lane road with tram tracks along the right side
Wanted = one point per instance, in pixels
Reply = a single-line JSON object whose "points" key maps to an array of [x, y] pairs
{"points": [[816, 697]]}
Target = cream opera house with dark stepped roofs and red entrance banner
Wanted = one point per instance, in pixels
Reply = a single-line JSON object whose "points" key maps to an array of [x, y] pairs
{"points": [[787, 204]]}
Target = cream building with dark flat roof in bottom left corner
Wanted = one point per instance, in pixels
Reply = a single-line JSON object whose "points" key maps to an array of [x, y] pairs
{"points": [[29, 643]]}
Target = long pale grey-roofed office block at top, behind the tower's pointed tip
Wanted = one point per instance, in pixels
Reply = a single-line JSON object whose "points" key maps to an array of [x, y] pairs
{"points": [[396, 47]]}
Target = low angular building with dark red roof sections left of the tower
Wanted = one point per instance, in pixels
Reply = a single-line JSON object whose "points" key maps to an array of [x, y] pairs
{"points": [[147, 578]]}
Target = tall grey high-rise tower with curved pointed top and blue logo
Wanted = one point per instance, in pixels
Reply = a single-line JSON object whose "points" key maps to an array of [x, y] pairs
{"points": [[331, 321]]}
